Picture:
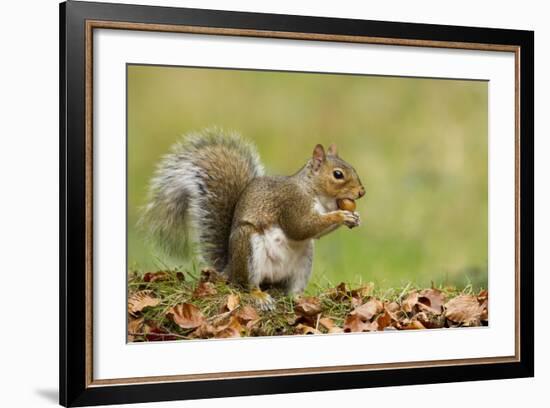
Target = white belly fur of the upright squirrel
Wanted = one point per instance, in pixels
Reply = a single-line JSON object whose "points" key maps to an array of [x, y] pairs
{"points": [[275, 258]]}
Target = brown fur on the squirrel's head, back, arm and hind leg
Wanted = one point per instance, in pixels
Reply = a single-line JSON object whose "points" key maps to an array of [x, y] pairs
{"points": [[288, 202]]}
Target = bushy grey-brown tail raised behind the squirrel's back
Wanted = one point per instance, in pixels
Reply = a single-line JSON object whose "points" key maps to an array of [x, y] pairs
{"points": [[194, 191]]}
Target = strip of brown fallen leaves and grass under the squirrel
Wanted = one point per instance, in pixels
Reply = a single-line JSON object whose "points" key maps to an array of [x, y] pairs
{"points": [[174, 305]]}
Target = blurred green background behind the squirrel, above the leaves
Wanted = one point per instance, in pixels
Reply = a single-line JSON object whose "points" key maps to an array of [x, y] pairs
{"points": [[419, 146]]}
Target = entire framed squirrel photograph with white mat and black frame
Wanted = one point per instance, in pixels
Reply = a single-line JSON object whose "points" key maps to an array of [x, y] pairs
{"points": [[256, 203]]}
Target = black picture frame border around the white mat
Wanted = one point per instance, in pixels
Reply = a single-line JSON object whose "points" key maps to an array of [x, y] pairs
{"points": [[75, 387]]}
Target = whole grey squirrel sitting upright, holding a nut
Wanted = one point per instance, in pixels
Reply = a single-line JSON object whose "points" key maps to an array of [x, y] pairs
{"points": [[257, 230]]}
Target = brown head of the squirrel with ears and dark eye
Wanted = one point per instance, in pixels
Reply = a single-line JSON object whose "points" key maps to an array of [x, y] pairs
{"points": [[333, 176]]}
